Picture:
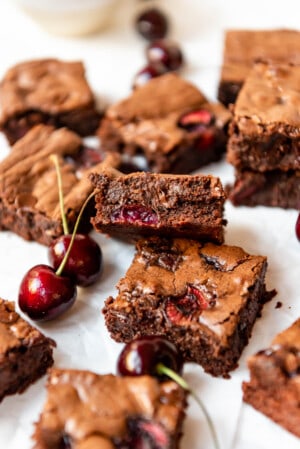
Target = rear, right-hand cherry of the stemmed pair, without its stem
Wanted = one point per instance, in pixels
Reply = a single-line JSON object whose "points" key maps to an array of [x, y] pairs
{"points": [[84, 264]]}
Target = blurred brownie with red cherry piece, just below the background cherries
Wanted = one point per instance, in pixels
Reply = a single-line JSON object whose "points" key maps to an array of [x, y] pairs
{"points": [[170, 122]]}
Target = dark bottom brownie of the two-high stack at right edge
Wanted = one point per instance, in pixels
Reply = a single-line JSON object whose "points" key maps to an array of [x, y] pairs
{"points": [[275, 189]]}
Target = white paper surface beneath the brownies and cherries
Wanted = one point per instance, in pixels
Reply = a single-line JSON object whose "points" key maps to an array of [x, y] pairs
{"points": [[112, 58]]}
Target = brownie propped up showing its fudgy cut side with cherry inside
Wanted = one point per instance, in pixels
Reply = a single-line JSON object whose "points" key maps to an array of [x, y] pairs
{"points": [[141, 204]]}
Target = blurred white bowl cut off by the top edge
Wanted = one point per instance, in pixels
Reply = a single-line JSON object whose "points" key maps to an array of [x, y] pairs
{"points": [[70, 17]]}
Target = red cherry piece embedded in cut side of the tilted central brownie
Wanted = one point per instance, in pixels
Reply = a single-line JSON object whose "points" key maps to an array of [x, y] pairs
{"points": [[135, 214]]}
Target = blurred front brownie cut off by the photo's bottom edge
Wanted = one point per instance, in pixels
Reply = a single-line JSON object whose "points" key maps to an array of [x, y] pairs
{"points": [[86, 410]]}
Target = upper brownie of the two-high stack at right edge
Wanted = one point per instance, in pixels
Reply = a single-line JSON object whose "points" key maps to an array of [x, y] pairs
{"points": [[265, 130]]}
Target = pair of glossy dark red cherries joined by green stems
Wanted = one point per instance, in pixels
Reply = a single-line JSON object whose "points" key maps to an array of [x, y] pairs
{"points": [[76, 260]]}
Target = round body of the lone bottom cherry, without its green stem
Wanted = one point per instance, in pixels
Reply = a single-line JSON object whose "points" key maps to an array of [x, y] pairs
{"points": [[142, 355]]}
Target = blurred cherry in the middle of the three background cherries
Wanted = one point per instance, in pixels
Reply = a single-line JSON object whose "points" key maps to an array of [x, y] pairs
{"points": [[166, 53]]}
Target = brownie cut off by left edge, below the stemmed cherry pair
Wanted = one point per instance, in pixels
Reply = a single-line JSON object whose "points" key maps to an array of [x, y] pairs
{"points": [[25, 353]]}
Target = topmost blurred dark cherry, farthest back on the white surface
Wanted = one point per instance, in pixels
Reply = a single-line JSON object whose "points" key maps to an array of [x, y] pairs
{"points": [[152, 24]]}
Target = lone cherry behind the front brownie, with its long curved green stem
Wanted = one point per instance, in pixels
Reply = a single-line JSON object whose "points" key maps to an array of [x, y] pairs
{"points": [[156, 356]]}
